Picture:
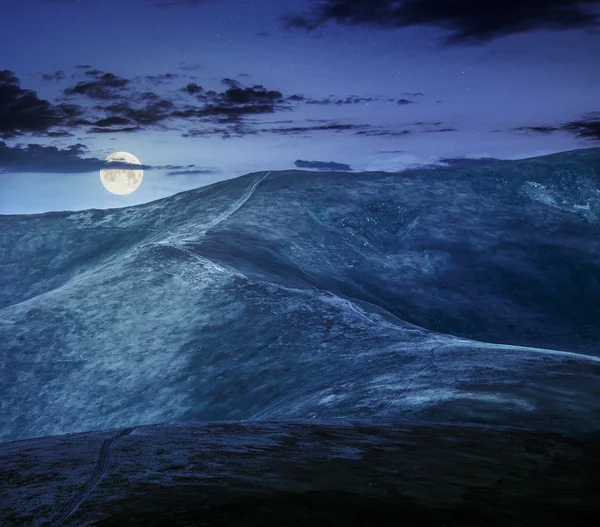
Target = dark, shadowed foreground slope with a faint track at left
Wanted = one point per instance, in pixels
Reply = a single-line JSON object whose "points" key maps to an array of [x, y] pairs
{"points": [[302, 474]]}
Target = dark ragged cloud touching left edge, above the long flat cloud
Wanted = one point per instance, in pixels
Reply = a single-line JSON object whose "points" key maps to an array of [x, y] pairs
{"points": [[22, 111]]}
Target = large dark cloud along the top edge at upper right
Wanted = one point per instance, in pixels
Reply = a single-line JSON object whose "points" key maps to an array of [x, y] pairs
{"points": [[465, 20]]}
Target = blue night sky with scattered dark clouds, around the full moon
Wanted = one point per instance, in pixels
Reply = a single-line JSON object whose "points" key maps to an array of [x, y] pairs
{"points": [[202, 91]]}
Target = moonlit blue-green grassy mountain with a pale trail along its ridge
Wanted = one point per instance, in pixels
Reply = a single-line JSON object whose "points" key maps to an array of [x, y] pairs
{"points": [[459, 295]]}
